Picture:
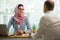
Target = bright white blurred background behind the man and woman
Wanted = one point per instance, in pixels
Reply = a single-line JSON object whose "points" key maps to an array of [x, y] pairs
{"points": [[33, 10]]}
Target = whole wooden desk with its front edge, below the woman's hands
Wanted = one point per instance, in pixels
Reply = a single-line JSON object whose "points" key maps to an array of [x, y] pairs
{"points": [[16, 37]]}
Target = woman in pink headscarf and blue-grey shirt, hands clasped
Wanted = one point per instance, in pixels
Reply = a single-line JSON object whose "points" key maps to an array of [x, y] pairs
{"points": [[19, 21]]}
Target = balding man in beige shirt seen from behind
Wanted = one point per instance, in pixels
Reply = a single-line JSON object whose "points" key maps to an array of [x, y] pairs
{"points": [[49, 26]]}
